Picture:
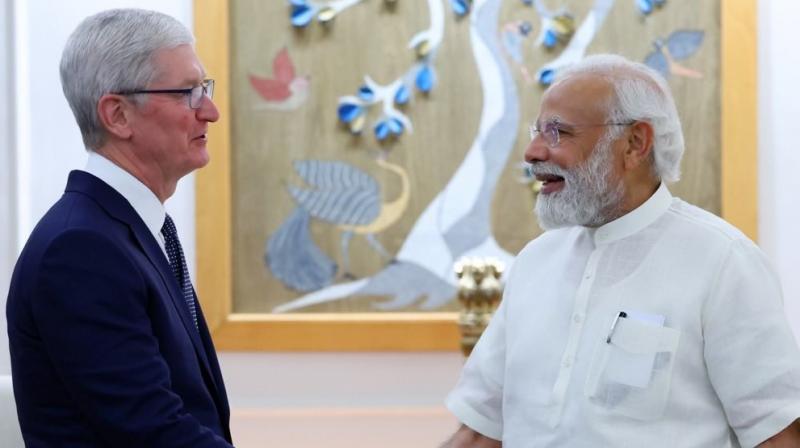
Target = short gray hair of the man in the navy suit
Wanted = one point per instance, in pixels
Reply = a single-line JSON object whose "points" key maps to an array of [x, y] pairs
{"points": [[112, 52]]}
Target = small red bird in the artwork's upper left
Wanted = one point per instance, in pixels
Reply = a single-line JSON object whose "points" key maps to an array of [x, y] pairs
{"points": [[285, 90]]}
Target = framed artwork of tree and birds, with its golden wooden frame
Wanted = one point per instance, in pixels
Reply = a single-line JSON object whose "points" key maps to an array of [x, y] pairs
{"points": [[365, 146]]}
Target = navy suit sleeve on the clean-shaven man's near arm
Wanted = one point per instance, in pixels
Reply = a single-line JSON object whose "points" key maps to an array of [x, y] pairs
{"points": [[90, 307]]}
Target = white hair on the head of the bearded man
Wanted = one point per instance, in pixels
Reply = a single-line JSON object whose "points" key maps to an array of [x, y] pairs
{"points": [[642, 94]]}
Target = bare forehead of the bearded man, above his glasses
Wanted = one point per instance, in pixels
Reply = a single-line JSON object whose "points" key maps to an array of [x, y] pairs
{"points": [[579, 99]]}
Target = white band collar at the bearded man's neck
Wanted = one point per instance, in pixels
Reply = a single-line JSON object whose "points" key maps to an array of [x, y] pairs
{"points": [[636, 220]]}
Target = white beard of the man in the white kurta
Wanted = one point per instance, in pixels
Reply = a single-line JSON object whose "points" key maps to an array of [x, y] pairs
{"points": [[588, 198]]}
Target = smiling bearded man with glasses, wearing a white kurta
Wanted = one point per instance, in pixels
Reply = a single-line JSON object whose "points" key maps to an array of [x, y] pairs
{"points": [[637, 320]]}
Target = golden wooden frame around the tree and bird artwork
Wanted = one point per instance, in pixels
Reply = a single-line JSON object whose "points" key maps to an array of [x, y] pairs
{"points": [[418, 331]]}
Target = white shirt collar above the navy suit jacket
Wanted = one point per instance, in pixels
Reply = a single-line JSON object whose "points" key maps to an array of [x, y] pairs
{"points": [[143, 201]]}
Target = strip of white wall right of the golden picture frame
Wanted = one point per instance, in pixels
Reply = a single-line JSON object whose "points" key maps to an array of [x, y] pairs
{"points": [[779, 148]]}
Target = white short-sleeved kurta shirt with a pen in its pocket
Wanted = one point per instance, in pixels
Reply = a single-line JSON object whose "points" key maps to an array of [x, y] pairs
{"points": [[704, 356]]}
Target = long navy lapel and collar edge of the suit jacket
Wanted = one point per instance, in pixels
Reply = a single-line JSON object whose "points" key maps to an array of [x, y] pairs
{"points": [[117, 206]]}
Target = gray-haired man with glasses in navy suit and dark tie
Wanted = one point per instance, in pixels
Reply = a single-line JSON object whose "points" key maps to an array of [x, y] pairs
{"points": [[108, 343]]}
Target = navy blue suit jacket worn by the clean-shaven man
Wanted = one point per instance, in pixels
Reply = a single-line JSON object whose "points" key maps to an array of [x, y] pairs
{"points": [[103, 348]]}
